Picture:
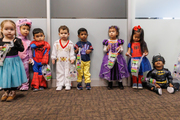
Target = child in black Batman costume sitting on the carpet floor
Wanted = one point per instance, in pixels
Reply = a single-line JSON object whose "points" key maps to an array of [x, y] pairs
{"points": [[161, 75]]}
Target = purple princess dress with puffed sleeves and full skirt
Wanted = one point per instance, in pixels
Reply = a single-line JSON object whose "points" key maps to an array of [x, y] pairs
{"points": [[119, 70]]}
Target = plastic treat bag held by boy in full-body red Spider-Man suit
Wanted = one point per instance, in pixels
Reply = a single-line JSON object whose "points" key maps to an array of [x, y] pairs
{"points": [[46, 71]]}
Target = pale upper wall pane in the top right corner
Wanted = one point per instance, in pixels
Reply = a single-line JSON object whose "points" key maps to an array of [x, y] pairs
{"points": [[157, 8]]}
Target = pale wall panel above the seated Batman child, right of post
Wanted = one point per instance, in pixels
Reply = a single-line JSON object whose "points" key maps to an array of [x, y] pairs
{"points": [[162, 36]]}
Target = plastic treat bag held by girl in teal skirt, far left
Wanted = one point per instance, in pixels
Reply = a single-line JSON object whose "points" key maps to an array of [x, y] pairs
{"points": [[4, 51]]}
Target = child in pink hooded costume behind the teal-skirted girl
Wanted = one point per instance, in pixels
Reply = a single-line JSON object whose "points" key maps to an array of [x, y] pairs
{"points": [[23, 28]]}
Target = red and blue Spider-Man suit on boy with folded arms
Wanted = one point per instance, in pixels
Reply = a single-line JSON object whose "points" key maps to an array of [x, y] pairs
{"points": [[40, 57]]}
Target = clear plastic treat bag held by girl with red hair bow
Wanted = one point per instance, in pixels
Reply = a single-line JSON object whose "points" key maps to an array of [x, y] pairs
{"points": [[135, 66]]}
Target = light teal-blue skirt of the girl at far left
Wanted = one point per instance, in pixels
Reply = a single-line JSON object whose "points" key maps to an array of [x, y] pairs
{"points": [[12, 73]]}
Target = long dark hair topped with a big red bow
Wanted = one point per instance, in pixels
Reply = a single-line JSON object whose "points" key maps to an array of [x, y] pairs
{"points": [[138, 29]]}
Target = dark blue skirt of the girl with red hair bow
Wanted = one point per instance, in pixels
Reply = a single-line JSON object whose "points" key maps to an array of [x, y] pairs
{"points": [[145, 65]]}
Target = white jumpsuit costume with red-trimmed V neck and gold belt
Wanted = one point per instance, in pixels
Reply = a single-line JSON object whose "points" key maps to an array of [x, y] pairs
{"points": [[63, 55]]}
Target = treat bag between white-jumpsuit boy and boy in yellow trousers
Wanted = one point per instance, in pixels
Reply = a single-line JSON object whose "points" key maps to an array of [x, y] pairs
{"points": [[72, 73]]}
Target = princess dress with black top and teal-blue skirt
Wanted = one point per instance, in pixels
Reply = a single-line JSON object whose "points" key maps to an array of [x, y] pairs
{"points": [[12, 73]]}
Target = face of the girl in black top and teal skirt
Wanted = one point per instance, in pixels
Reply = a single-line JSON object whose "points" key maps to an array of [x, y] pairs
{"points": [[8, 30]]}
